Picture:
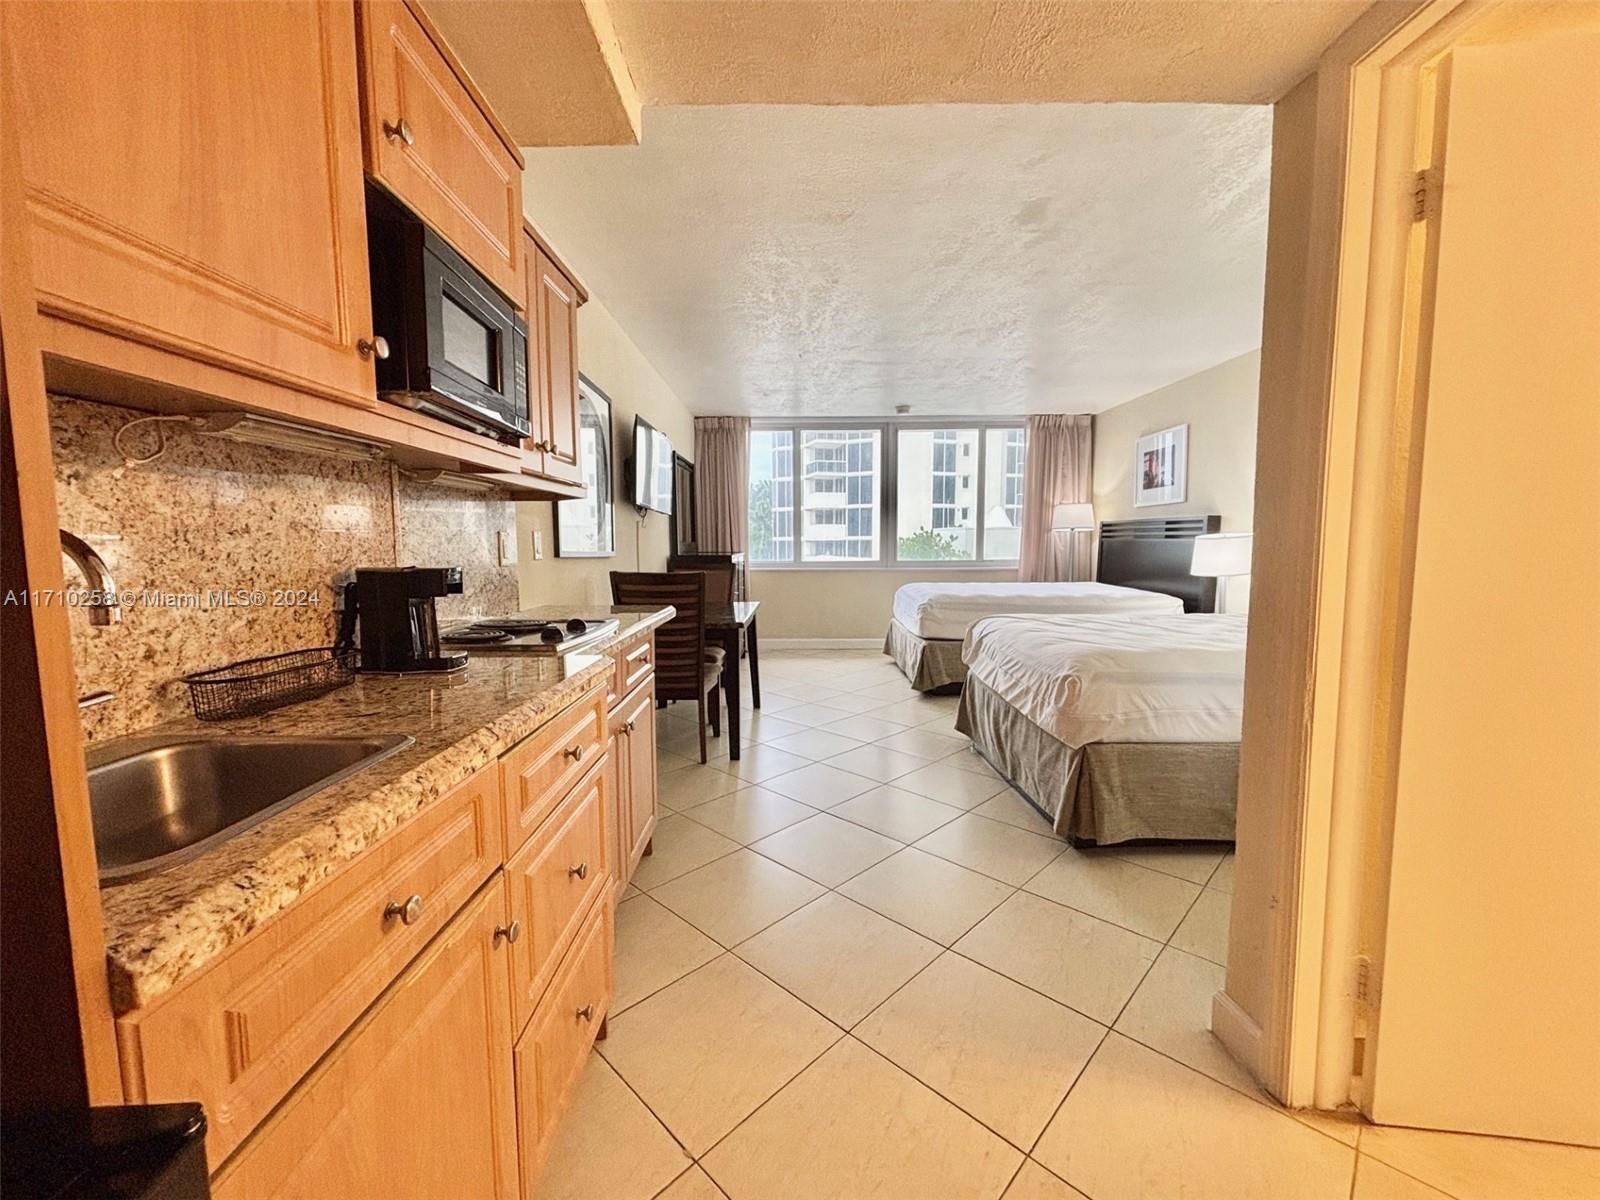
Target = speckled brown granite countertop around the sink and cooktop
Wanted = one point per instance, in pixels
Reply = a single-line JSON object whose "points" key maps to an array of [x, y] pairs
{"points": [[164, 929]]}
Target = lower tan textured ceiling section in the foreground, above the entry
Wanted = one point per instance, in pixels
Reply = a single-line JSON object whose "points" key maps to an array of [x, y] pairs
{"points": [[913, 52]]}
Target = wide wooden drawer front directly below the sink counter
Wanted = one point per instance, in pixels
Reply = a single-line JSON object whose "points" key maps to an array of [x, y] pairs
{"points": [[239, 1036]]}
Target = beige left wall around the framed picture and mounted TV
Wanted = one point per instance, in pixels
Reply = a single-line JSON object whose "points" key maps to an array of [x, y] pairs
{"points": [[609, 358]]}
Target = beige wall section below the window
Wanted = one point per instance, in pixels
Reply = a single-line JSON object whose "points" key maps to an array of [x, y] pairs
{"points": [[833, 604]]}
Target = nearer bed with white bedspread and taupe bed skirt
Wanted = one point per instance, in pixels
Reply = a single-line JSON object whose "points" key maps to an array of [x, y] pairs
{"points": [[1116, 727]]}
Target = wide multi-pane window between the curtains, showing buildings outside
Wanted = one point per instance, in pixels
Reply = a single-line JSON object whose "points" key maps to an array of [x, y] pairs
{"points": [[945, 494]]}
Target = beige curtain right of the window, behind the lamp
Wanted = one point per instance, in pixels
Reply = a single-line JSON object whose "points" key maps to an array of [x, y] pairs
{"points": [[1060, 471]]}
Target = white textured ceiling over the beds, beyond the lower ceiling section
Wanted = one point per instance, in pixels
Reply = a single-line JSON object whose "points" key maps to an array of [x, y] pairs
{"points": [[780, 260]]}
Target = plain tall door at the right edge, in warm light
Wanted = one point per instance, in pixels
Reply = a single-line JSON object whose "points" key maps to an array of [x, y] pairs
{"points": [[1490, 962]]}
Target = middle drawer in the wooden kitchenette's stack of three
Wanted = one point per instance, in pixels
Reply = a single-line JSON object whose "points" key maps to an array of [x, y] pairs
{"points": [[554, 882]]}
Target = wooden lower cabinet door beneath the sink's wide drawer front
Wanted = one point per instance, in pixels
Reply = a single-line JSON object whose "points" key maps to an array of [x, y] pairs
{"points": [[418, 1098]]}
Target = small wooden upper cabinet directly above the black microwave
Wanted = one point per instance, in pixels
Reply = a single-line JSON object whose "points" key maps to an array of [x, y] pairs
{"points": [[434, 143]]}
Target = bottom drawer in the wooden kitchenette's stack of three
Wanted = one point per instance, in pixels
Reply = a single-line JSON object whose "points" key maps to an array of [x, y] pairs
{"points": [[556, 1046]]}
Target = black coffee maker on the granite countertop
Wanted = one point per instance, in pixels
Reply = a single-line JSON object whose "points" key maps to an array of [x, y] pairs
{"points": [[394, 609]]}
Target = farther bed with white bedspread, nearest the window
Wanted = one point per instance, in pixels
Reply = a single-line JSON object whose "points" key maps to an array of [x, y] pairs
{"points": [[930, 620]]}
